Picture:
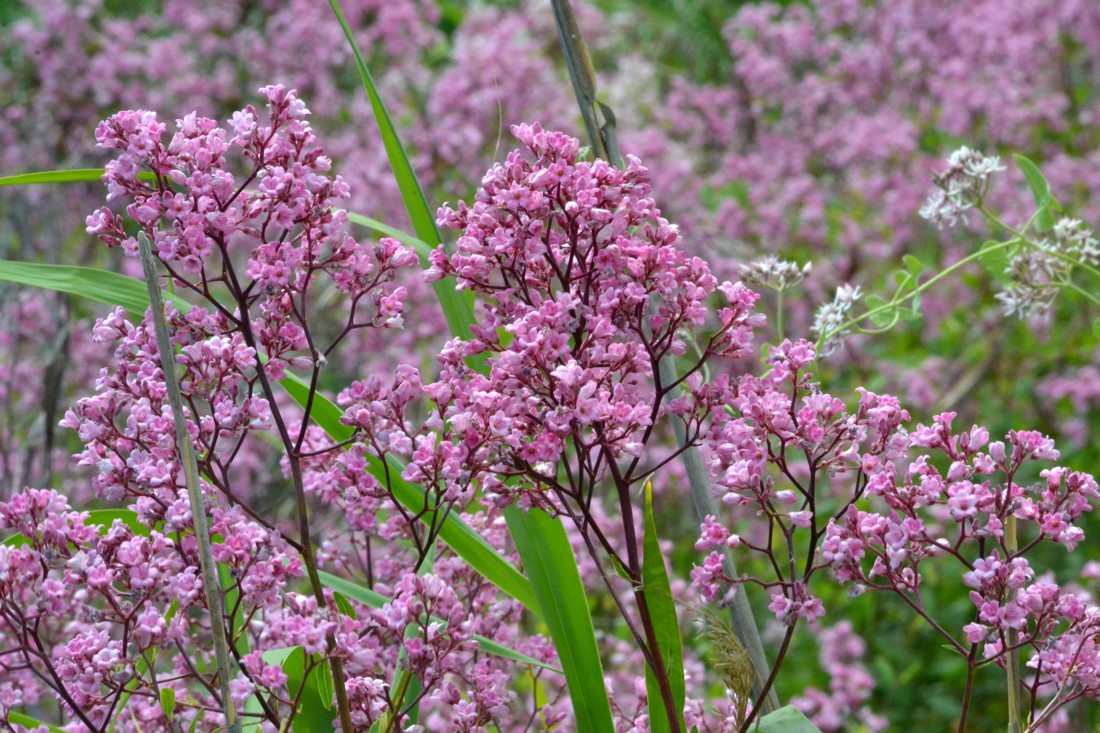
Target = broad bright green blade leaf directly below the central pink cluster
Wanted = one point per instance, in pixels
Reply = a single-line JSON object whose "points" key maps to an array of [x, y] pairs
{"points": [[552, 568]]}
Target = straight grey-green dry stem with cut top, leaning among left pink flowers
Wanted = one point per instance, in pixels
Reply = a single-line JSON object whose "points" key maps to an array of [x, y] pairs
{"points": [[212, 586]]}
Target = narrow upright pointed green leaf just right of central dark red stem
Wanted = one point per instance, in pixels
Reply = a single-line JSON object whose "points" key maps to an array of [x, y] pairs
{"points": [[663, 611]]}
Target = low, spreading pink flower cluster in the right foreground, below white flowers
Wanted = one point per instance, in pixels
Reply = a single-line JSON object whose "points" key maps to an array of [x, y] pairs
{"points": [[808, 466]]}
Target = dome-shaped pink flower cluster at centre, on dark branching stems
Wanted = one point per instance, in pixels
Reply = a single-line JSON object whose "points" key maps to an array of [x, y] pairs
{"points": [[589, 291]]}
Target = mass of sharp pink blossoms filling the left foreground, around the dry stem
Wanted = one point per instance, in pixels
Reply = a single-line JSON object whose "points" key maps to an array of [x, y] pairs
{"points": [[97, 618]]}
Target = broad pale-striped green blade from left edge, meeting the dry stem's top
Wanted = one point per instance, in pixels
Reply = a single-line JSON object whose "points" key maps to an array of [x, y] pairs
{"points": [[98, 286]]}
